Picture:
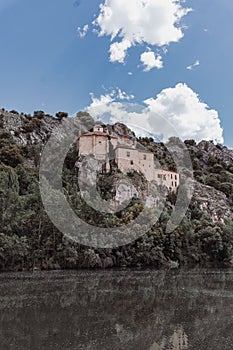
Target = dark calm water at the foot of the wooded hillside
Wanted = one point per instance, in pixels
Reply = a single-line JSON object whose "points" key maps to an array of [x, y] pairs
{"points": [[126, 309]]}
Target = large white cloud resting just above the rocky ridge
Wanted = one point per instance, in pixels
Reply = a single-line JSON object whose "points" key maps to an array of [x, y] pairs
{"points": [[174, 111]]}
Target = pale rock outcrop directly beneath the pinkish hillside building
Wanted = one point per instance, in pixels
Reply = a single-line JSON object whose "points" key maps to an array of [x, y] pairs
{"points": [[121, 188]]}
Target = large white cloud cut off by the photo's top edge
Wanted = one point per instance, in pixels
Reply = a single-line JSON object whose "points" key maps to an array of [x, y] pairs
{"points": [[150, 22]]}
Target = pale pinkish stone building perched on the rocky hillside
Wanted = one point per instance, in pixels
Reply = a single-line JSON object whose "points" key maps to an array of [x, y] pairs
{"points": [[128, 157]]}
